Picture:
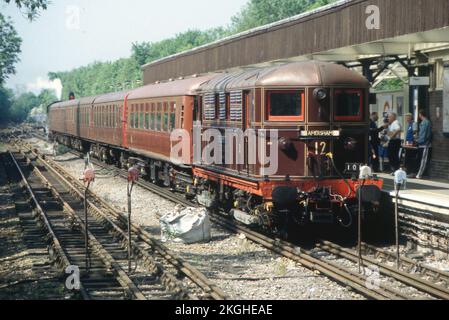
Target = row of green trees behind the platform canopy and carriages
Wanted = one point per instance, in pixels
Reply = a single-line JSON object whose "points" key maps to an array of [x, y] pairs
{"points": [[103, 77]]}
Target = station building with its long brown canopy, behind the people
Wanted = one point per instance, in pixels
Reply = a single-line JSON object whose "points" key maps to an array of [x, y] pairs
{"points": [[381, 39]]}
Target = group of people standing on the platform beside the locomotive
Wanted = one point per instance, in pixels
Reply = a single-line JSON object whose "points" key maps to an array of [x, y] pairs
{"points": [[386, 142]]}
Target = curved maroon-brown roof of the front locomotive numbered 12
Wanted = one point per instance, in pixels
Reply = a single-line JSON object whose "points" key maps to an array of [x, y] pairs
{"points": [[305, 73]]}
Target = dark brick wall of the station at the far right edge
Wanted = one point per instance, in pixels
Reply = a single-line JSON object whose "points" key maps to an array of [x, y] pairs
{"points": [[439, 166]]}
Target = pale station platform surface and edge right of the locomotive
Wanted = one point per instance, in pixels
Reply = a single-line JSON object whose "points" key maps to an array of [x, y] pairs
{"points": [[424, 195]]}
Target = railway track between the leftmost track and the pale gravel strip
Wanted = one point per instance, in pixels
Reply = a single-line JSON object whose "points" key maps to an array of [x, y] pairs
{"points": [[149, 252]]}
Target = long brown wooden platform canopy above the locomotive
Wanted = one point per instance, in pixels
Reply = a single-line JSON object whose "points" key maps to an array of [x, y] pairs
{"points": [[337, 33]]}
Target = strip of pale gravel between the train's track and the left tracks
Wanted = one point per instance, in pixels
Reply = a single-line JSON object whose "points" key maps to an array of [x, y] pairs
{"points": [[242, 269]]}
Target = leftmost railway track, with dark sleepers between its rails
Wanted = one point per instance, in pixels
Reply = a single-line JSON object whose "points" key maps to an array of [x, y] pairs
{"points": [[107, 281]]}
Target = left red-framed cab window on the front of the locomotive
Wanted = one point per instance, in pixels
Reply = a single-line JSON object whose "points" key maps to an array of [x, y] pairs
{"points": [[286, 105]]}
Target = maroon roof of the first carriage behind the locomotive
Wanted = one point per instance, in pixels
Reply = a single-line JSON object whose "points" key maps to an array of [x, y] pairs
{"points": [[182, 87]]}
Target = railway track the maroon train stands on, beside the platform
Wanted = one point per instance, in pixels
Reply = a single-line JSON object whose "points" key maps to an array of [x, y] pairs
{"points": [[333, 270]]}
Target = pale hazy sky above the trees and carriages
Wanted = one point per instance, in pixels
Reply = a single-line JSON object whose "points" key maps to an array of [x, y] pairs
{"points": [[73, 33]]}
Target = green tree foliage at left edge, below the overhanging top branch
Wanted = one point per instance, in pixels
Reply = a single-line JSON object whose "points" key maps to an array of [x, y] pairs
{"points": [[9, 48]]}
